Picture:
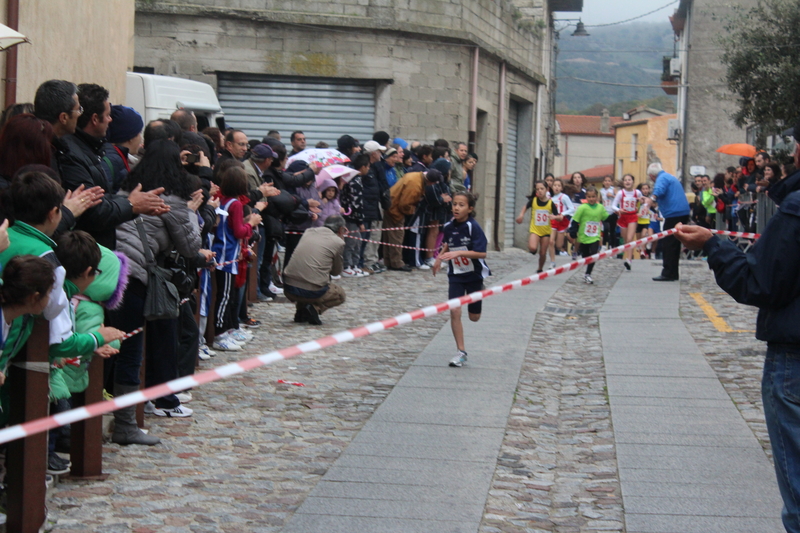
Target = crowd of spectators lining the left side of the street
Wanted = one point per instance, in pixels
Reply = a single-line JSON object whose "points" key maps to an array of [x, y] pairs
{"points": [[97, 201]]}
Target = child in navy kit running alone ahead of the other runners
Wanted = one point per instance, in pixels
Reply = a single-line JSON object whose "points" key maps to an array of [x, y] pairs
{"points": [[464, 249]]}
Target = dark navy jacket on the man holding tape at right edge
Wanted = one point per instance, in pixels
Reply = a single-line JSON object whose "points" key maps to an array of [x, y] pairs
{"points": [[766, 276]]}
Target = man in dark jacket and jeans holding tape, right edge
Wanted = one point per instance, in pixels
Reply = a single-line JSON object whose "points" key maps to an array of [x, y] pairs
{"points": [[767, 277]]}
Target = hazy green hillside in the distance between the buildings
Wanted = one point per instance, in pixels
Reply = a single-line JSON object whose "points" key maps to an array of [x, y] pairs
{"points": [[629, 54]]}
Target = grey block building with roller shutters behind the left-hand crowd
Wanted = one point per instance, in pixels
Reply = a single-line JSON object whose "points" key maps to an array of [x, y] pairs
{"points": [[403, 66]]}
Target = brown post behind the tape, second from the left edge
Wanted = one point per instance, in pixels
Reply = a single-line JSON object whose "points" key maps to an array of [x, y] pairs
{"points": [[86, 440]]}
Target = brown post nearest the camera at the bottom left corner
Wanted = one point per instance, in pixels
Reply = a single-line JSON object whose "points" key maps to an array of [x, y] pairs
{"points": [[26, 460]]}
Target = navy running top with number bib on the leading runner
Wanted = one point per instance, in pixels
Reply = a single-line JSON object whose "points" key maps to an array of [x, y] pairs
{"points": [[465, 236]]}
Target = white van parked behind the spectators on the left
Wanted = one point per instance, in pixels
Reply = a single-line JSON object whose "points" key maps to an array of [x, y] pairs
{"points": [[157, 97]]}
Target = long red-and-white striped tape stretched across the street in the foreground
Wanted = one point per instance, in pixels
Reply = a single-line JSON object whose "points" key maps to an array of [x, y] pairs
{"points": [[82, 413]]}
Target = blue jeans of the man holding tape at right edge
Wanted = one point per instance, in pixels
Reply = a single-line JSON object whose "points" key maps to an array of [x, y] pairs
{"points": [[780, 391]]}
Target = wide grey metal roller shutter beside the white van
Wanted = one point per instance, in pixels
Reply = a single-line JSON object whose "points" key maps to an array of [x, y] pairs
{"points": [[322, 108]]}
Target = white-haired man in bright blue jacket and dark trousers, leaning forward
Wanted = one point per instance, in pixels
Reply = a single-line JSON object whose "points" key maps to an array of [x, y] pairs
{"points": [[674, 207]]}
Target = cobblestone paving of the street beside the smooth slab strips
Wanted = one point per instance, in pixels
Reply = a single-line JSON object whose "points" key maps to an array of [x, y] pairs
{"points": [[255, 449]]}
